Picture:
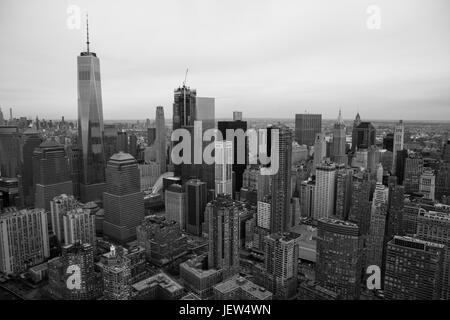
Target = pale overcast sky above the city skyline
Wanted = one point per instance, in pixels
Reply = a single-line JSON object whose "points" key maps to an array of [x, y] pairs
{"points": [[266, 58]]}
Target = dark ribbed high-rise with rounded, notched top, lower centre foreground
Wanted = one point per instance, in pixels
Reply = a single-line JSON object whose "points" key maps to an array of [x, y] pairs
{"points": [[222, 215]]}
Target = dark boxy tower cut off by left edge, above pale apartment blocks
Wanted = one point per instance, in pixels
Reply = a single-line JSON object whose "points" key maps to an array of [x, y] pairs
{"points": [[10, 153]]}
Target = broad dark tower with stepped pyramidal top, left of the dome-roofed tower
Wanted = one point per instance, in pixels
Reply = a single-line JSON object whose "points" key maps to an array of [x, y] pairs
{"points": [[51, 173]]}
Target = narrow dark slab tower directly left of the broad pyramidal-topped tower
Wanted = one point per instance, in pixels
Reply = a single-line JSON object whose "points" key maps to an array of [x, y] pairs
{"points": [[31, 140]]}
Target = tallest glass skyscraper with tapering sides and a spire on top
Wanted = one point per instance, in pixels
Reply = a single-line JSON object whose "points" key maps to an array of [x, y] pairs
{"points": [[90, 125]]}
